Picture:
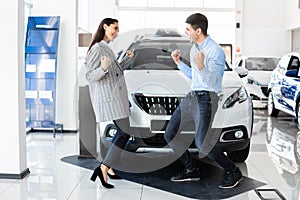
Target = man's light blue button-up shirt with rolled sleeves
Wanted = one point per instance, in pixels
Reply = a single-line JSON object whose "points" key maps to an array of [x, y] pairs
{"points": [[210, 77]]}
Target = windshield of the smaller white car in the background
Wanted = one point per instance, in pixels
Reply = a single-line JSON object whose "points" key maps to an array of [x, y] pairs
{"points": [[267, 64]]}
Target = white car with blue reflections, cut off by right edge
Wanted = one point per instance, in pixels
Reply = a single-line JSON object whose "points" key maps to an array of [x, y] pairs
{"points": [[284, 87]]}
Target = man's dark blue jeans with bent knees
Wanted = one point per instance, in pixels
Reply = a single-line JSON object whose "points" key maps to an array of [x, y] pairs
{"points": [[198, 107]]}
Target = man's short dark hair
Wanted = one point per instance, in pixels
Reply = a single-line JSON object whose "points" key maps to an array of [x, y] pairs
{"points": [[198, 20]]}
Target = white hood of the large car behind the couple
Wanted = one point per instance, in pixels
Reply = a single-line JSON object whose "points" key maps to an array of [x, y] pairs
{"points": [[171, 82]]}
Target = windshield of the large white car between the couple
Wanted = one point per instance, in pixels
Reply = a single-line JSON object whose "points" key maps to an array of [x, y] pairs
{"points": [[156, 55]]}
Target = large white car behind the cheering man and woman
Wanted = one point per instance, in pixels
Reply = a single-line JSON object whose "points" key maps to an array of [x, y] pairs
{"points": [[156, 87]]}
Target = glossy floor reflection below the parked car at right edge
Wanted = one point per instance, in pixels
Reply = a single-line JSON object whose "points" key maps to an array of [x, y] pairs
{"points": [[283, 145]]}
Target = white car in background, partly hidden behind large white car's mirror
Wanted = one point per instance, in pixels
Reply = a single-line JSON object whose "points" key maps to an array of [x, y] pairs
{"points": [[259, 74]]}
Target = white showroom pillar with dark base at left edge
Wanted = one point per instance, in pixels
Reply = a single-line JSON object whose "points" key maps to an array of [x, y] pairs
{"points": [[12, 101]]}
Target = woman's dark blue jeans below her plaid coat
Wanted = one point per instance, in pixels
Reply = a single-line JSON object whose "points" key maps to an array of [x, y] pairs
{"points": [[118, 143]]}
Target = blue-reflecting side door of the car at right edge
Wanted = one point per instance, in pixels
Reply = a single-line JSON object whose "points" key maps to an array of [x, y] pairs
{"points": [[289, 85]]}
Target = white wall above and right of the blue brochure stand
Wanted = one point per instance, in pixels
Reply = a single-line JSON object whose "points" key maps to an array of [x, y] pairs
{"points": [[67, 57]]}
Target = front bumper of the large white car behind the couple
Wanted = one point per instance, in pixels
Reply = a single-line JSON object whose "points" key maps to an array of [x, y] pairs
{"points": [[234, 124]]}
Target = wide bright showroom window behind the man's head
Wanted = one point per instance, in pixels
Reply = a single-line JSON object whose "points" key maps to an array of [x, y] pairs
{"points": [[135, 14]]}
